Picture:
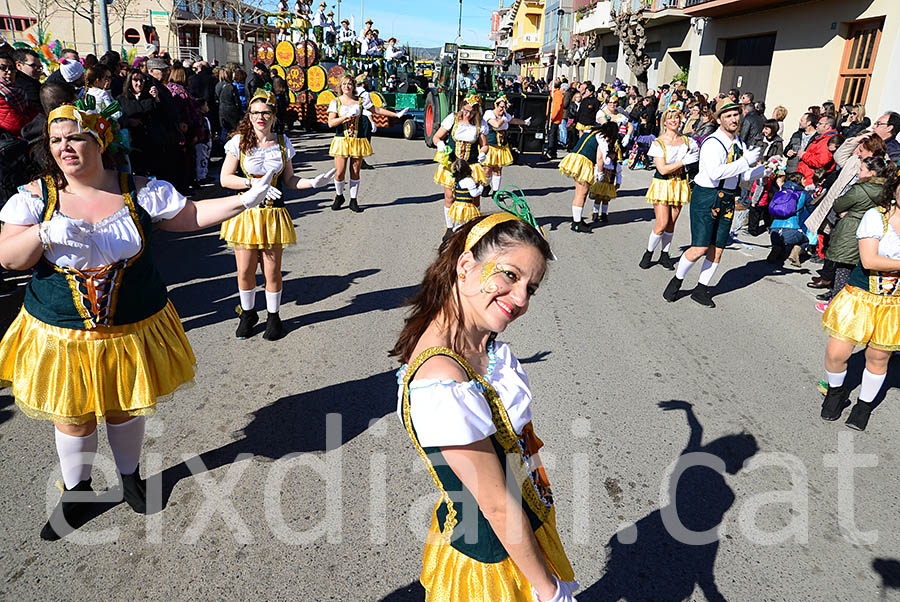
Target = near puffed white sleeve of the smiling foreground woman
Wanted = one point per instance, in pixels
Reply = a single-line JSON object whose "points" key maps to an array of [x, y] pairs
{"points": [[447, 412]]}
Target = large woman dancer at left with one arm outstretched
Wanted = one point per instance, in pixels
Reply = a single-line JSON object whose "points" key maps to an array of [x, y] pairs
{"points": [[97, 338]]}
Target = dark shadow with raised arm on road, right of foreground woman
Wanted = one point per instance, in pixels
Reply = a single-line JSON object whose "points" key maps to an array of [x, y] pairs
{"points": [[646, 561]]}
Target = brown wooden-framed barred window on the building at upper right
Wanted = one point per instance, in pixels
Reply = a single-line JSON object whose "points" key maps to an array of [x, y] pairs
{"points": [[858, 61]]}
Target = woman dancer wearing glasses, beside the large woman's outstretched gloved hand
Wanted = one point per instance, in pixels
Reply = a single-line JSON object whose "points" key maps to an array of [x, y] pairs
{"points": [[262, 231]]}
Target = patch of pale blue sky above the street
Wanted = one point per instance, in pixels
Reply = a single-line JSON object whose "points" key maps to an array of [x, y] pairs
{"points": [[423, 23]]}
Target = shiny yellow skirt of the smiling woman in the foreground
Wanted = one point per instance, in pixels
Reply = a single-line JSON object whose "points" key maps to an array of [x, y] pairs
{"points": [[450, 576]]}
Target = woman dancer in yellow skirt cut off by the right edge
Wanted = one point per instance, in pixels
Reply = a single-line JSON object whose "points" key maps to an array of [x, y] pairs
{"points": [[866, 312]]}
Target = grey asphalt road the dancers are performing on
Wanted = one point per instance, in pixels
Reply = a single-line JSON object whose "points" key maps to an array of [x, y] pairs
{"points": [[261, 504]]}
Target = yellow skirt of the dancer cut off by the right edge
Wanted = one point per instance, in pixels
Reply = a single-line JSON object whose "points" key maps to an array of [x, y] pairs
{"points": [[864, 319]]}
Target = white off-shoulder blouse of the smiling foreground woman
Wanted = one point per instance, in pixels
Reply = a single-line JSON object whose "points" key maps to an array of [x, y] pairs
{"points": [[447, 412]]}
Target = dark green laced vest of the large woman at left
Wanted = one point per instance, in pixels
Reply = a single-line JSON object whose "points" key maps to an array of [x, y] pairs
{"points": [[125, 292]]}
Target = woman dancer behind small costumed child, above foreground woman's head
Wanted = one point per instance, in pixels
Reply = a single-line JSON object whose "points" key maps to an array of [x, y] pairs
{"points": [[460, 136]]}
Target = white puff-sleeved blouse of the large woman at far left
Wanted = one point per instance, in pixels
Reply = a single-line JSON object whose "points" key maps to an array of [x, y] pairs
{"points": [[111, 239]]}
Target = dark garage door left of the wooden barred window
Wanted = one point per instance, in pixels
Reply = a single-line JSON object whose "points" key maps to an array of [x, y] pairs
{"points": [[746, 63]]}
